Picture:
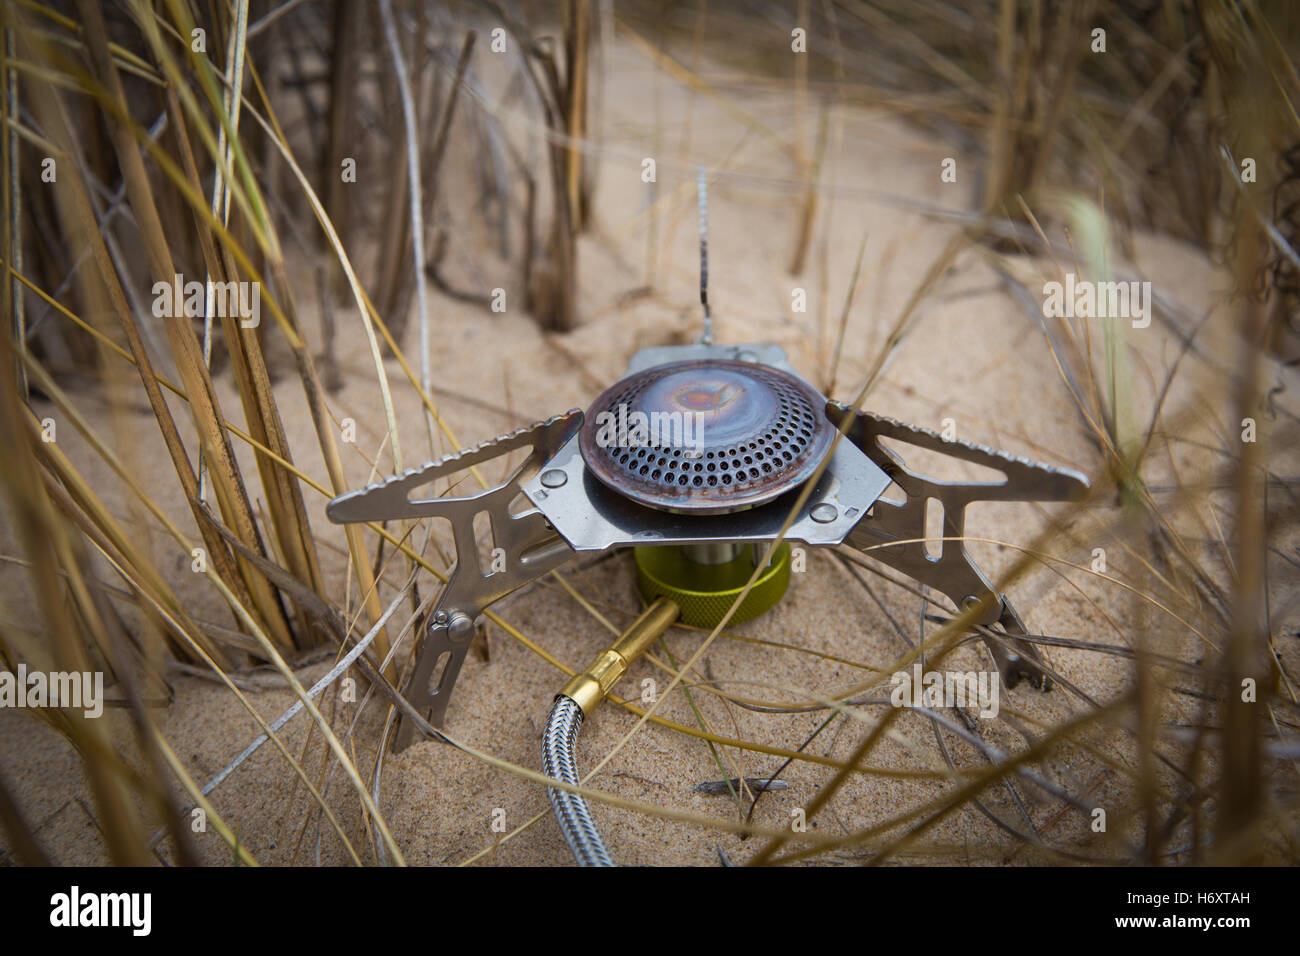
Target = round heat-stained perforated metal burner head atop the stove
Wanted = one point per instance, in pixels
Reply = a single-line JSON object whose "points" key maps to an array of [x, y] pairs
{"points": [[707, 436]]}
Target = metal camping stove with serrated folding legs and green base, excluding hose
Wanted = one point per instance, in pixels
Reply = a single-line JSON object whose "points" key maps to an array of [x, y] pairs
{"points": [[699, 458]]}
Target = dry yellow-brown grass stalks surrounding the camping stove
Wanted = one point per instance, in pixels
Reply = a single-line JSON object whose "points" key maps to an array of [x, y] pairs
{"points": [[172, 161]]}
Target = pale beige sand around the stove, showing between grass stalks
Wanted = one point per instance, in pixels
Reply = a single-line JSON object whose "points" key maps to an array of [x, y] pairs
{"points": [[974, 356]]}
